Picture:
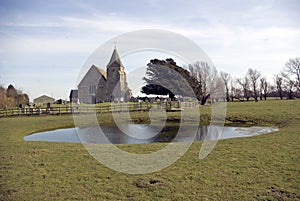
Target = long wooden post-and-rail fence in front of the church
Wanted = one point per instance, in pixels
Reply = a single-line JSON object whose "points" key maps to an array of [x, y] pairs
{"points": [[86, 109]]}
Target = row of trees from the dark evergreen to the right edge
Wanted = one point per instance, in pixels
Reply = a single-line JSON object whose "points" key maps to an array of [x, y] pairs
{"points": [[165, 77]]}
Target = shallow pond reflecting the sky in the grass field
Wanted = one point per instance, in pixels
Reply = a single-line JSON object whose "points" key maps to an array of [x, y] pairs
{"points": [[144, 134]]}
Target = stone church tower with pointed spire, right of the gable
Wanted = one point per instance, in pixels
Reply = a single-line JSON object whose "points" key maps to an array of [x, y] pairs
{"points": [[116, 85]]}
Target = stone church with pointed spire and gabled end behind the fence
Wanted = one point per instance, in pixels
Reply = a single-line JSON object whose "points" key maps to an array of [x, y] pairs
{"points": [[99, 85]]}
